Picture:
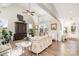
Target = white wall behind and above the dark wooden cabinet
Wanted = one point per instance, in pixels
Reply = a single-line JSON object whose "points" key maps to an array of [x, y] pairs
{"points": [[10, 14]]}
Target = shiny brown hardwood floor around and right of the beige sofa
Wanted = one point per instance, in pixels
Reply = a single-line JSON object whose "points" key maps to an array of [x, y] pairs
{"points": [[67, 48]]}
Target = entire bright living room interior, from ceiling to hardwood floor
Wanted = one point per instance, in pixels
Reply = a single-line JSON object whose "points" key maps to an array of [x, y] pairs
{"points": [[39, 29]]}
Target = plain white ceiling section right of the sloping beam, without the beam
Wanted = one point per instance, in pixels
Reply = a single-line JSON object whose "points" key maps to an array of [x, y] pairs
{"points": [[67, 10]]}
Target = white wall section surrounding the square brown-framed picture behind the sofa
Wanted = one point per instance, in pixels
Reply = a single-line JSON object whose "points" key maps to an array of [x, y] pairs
{"points": [[56, 34]]}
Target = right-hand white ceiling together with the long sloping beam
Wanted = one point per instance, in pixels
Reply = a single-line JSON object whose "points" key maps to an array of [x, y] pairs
{"points": [[62, 10]]}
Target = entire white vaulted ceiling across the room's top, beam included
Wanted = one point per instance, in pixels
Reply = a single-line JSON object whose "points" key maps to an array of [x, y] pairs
{"points": [[56, 10]]}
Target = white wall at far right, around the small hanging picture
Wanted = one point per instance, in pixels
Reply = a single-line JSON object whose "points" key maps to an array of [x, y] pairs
{"points": [[68, 23]]}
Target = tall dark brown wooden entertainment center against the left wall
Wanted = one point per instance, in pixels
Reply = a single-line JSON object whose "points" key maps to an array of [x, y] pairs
{"points": [[20, 30]]}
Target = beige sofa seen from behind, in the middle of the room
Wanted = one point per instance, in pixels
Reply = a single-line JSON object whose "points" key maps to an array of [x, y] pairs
{"points": [[39, 43]]}
